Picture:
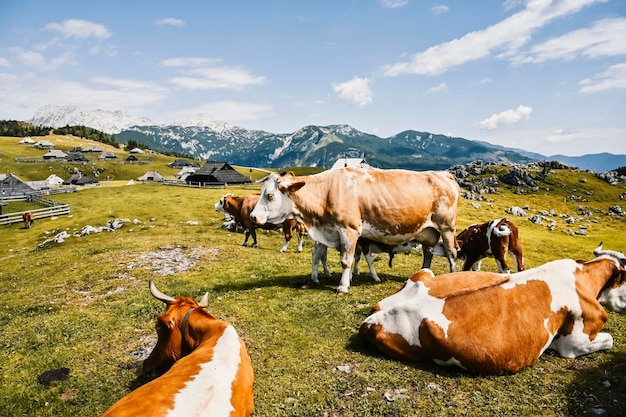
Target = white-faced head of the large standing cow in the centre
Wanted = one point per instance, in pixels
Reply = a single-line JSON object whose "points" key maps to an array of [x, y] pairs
{"points": [[275, 206]]}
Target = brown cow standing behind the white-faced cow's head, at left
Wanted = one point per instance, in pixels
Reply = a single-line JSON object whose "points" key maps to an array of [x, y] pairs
{"points": [[240, 207]]}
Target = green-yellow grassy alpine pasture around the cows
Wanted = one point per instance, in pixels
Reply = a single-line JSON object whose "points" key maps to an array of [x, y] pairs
{"points": [[82, 307]]}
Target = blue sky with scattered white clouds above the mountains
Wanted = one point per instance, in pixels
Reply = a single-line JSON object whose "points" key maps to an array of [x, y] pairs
{"points": [[540, 75]]}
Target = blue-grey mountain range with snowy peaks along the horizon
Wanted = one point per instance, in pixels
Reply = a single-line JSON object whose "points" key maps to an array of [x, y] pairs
{"points": [[205, 138]]}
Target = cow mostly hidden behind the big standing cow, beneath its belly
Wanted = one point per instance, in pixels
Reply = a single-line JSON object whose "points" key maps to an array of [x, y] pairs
{"points": [[365, 247]]}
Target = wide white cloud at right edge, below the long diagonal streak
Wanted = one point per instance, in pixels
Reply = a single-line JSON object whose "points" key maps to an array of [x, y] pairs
{"points": [[604, 38]]}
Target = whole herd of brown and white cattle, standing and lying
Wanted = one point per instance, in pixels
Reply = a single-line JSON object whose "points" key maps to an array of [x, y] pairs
{"points": [[484, 322]]}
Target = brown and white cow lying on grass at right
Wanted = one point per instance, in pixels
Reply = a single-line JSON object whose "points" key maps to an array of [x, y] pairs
{"points": [[493, 323]]}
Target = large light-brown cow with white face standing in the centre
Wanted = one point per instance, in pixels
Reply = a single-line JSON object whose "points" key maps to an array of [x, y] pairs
{"points": [[388, 206]]}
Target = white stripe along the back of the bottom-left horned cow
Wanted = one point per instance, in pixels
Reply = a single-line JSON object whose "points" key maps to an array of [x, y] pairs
{"points": [[209, 392]]}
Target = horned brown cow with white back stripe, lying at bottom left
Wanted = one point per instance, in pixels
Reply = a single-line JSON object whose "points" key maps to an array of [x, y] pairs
{"points": [[205, 365]]}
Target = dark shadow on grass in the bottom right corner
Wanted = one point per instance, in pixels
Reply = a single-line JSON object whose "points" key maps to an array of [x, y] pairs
{"points": [[599, 390]]}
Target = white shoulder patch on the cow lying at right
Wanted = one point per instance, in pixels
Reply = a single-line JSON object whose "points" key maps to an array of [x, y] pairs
{"points": [[561, 280]]}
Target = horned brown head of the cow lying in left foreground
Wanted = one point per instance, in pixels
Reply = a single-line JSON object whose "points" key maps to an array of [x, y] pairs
{"points": [[170, 328]]}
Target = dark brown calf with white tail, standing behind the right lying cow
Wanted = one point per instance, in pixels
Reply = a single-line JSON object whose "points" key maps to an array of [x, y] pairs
{"points": [[493, 238]]}
